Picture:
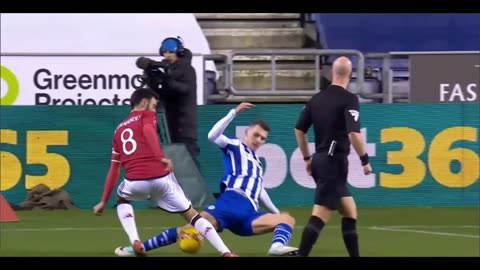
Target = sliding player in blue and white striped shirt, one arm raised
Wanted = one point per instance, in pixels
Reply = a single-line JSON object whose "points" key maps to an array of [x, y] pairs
{"points": [[237, 208]]}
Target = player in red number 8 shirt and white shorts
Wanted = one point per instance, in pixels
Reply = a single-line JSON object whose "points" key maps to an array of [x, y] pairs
{"points": [[148, 173]]}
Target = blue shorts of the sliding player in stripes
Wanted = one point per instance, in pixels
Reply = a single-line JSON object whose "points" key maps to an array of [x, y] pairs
{"points": [[234, 212]]}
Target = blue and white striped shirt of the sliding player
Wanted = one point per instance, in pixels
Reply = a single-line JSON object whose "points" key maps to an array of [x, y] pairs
{"points": [[243, 169]]}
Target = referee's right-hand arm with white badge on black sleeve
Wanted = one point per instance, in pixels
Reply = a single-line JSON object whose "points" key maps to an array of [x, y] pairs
{"points": [[352, 123]]}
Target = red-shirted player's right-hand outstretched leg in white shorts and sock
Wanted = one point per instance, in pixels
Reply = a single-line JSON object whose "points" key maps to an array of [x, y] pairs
{"points": [[175, 201]]}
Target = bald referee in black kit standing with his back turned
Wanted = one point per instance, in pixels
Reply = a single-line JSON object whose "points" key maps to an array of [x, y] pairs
{"points": [[334, 113]]}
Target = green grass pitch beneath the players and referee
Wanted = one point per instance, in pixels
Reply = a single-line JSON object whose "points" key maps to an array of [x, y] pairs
{"points": [[438, 232]]}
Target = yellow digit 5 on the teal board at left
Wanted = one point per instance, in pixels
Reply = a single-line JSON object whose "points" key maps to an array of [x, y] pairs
{"points": [[58, 168]]}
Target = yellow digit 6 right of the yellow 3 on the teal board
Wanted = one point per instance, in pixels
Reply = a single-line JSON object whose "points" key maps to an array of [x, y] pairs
{"points": [[440, 156]]}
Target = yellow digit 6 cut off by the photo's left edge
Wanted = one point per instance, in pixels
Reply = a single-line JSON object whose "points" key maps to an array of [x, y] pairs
{"points": [[10, 166]]}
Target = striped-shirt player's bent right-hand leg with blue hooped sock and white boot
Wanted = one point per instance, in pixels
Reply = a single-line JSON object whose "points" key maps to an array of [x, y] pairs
{"points": [[282, 226]]}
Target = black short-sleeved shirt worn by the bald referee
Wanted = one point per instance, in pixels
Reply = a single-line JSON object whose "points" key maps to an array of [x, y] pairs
{"points": [[334, 112]]}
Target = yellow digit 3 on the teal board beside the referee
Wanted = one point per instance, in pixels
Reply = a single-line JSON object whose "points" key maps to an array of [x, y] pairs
{"points": [[413, 145]]}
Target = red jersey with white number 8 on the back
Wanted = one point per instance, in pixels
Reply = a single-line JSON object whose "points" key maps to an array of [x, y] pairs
{"points": [[131, 148]]}
